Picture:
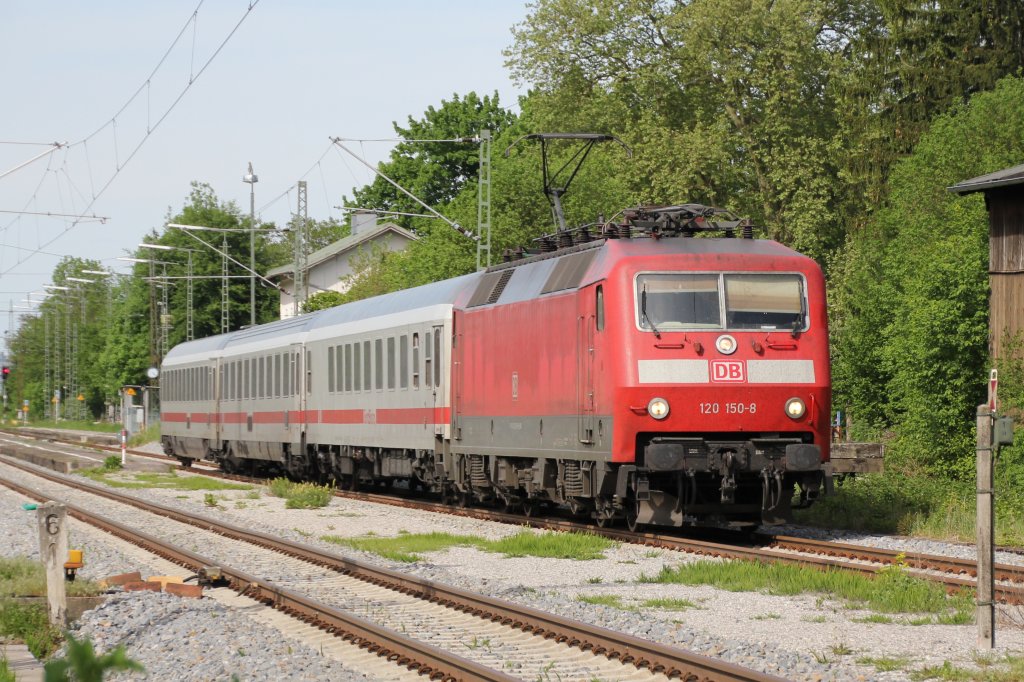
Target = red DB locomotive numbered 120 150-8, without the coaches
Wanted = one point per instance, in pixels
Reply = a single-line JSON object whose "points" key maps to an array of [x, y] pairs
{"points": [[651, 375]]}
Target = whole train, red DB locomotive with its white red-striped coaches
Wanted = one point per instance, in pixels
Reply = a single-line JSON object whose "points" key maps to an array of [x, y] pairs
{"points": [[643, 371]]}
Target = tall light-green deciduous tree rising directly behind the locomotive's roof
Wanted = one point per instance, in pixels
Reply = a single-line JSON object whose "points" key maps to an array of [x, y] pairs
{"points": [[724, 103]]}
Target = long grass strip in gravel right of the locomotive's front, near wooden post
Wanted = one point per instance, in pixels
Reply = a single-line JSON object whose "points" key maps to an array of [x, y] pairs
{"points": [[890, 591]]}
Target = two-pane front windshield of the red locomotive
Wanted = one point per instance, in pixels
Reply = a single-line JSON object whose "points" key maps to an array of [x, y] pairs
{"points": [[710, 301]]}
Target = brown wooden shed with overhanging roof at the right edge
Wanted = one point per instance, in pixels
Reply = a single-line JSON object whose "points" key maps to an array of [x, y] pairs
{"points": [[1005, 201]]}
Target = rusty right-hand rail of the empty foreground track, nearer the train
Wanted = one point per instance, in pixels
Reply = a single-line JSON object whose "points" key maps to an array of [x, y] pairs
{"points": [[670, 661]]}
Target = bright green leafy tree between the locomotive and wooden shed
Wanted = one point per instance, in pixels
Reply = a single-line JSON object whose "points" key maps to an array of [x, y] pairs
{"points": [[911, 316]]}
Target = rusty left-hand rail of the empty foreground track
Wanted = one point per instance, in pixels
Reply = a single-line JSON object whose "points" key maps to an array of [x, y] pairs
{"points": [[430, 661]]}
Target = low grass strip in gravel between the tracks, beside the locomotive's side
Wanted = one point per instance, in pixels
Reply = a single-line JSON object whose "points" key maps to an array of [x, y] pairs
{"points": [[410, 547]]}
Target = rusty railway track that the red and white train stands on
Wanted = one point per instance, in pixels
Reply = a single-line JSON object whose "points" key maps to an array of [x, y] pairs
{"points": [[955, 573]]}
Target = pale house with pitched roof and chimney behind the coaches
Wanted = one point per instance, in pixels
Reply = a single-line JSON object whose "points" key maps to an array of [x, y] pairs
{"points": [[328, 269]]}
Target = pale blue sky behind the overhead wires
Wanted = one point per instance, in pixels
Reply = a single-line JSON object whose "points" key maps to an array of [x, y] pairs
{"points": [[293, 75]]}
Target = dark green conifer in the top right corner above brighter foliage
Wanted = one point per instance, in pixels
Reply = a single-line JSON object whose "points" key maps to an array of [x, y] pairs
{"points": [[905, 63]]}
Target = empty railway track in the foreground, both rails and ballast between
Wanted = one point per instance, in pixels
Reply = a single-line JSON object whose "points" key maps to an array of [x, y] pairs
{"points": [[327, 590]]}
